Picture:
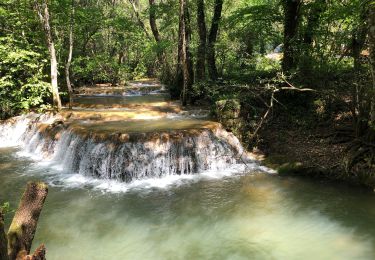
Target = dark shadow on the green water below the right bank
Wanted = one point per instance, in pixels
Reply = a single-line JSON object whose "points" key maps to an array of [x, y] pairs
{"points": [[350, 206]]}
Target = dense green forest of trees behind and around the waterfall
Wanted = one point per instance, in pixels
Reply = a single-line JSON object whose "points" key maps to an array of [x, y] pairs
{"points": [[306, 62]]}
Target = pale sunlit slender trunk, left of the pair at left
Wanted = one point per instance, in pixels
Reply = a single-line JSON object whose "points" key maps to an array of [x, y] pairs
{"points": [[43, 14]]}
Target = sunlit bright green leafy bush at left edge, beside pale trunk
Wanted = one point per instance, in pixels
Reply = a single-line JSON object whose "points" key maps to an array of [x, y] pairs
{"points": [[22, 77]]}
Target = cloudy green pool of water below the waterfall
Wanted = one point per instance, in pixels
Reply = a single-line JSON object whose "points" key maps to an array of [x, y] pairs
{"points": [[247, 216]]}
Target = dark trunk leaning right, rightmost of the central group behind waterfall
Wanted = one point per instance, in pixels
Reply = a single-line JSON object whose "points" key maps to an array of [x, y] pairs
{"points": [[212, 37]]}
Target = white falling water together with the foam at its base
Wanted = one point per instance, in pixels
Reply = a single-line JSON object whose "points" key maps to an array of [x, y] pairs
{"points": [[119, 167]]}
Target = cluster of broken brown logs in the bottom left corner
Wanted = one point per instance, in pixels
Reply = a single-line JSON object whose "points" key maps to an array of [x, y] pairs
{"points": [[22, 230]]}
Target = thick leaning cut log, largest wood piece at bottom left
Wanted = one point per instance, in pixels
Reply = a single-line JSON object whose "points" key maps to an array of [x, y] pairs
{"points": [[22, 230]]}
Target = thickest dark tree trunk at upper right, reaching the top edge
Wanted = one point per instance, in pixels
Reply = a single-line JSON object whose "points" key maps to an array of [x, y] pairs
{"points": [[291, 20]]}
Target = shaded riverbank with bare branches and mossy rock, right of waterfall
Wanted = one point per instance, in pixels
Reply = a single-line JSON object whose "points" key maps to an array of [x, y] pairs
{"points": [[313, 136]]}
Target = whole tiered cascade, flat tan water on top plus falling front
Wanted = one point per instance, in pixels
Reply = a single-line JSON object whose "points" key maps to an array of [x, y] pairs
{"points": [[120, 144]]}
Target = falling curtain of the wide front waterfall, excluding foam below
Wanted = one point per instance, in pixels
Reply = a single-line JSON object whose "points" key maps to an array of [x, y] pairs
{"points": [[127, 157]]}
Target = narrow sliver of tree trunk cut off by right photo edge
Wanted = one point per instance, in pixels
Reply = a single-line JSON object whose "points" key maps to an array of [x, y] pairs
{"points": [[372, 56]]}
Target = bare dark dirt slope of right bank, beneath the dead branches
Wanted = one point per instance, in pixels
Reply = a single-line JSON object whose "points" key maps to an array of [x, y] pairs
{"points": [[322, 151]]}
